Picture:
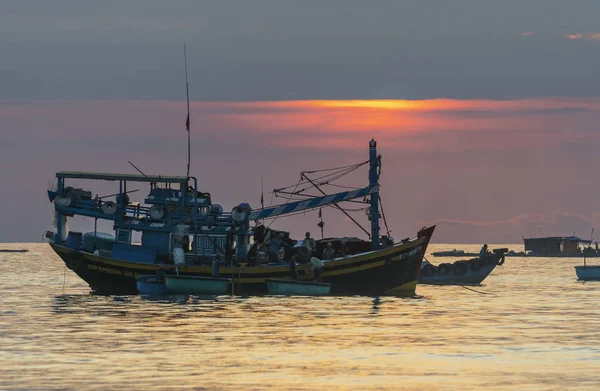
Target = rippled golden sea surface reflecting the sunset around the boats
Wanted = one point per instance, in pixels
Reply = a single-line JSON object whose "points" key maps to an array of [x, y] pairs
{"points": [[536, 328]]}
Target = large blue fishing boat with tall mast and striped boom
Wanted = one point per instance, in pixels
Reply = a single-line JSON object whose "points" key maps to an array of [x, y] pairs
{"points": [[183, 232]]}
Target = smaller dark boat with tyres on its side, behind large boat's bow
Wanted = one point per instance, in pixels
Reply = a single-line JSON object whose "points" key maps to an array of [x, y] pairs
{"points": [[464, 272]]}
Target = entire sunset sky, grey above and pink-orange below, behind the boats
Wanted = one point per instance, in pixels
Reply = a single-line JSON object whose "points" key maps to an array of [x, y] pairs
{"points": [[486, 113]]}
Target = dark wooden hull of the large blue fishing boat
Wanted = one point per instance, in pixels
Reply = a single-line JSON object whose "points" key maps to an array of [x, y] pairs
{"points": [[390, 271]]}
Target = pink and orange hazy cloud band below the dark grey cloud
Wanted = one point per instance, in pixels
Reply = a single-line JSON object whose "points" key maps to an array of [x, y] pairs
{"points": [[466, 164]]}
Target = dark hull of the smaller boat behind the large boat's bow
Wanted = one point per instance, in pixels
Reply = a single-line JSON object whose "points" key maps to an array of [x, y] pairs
{"points": [[473, 273]]}
